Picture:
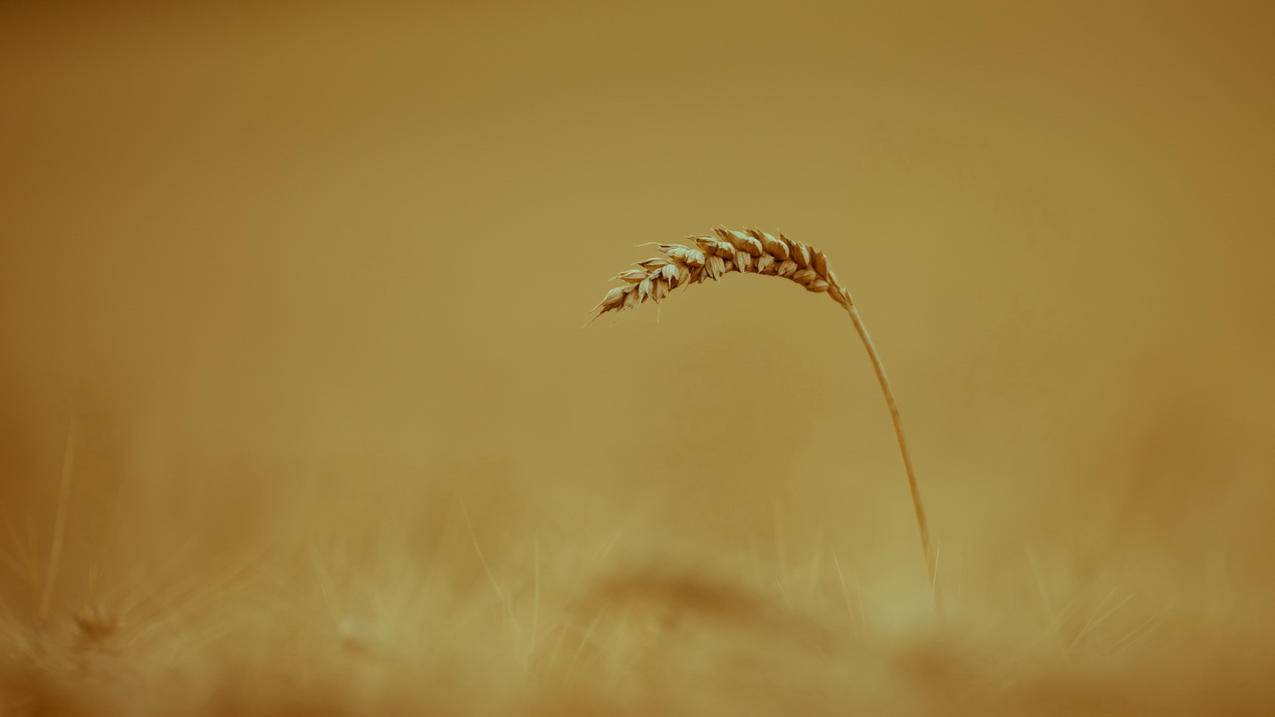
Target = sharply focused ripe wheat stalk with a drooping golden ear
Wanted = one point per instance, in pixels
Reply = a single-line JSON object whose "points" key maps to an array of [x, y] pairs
{"points": [[753, 252]]}
